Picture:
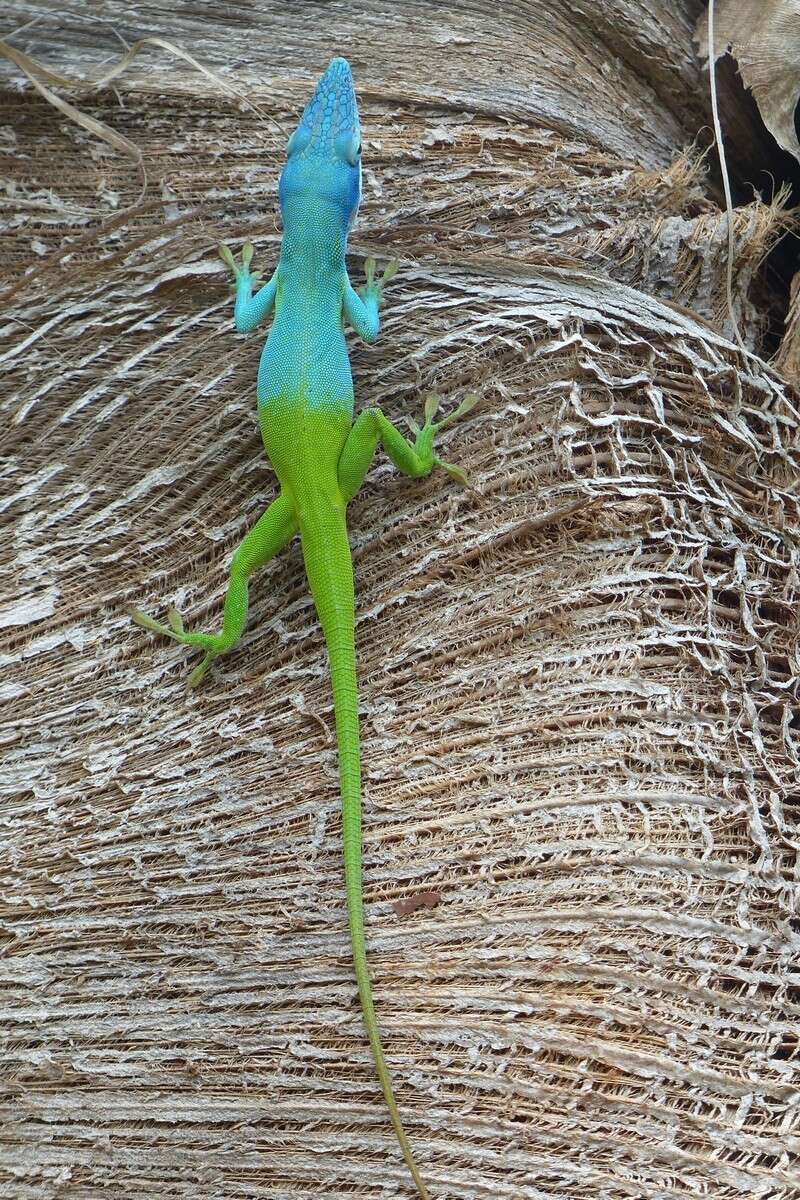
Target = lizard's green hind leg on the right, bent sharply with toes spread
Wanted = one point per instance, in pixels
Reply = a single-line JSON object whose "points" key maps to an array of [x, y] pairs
{"points": [[417, 460]]}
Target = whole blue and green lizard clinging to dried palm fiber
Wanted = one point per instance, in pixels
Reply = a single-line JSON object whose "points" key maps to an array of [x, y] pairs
{"points": [[320, 452]]}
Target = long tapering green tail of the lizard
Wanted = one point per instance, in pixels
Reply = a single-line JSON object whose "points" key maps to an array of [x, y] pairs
{"points": [[329, 568]]}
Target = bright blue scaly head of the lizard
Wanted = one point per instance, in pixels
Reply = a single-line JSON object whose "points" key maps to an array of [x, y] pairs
{"points": [[324, 153]]}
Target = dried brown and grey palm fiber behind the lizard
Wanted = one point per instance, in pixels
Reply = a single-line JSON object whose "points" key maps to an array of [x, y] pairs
{"points": [[578, 681]]}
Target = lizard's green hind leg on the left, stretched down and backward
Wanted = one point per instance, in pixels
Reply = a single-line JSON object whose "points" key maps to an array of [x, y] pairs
{"points": [[269, 536]]}
